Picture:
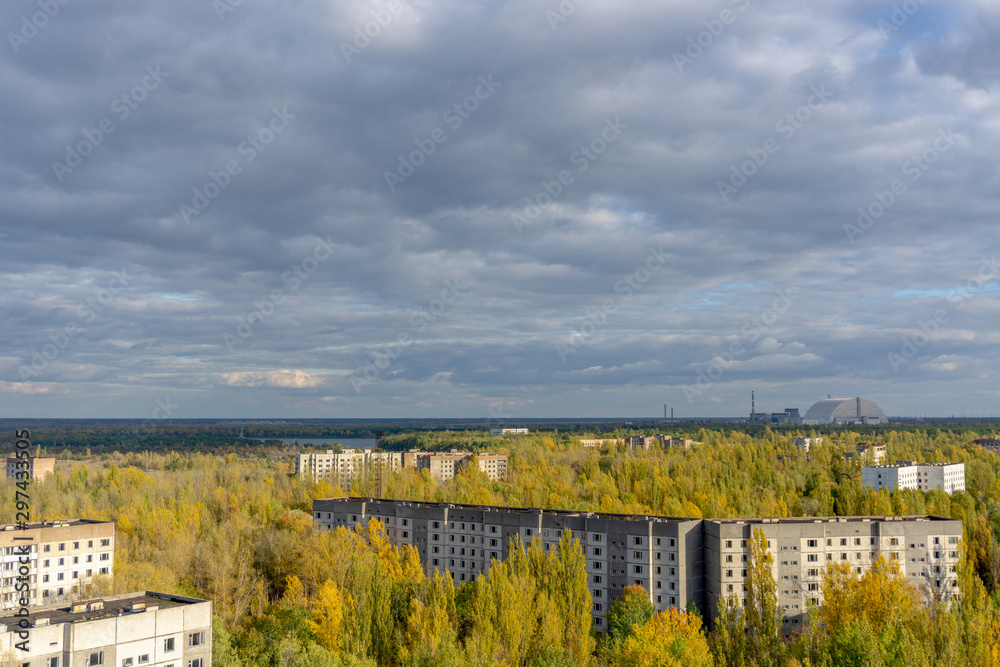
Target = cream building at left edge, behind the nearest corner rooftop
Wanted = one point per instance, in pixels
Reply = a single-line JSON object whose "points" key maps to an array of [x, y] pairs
{"points": [[62, 557]]}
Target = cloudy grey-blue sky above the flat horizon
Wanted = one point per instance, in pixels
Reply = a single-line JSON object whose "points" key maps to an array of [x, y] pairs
{"points": [[497, 208]]}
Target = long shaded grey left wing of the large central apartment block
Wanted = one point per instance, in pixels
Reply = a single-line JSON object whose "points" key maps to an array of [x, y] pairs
{"points": [[661, 553]]}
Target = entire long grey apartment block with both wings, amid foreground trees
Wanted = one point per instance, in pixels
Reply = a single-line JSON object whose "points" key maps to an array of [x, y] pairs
{"points": [[675, 559]]}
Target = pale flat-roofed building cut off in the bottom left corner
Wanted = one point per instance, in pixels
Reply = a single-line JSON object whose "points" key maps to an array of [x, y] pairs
{"points": [[152, 629]]}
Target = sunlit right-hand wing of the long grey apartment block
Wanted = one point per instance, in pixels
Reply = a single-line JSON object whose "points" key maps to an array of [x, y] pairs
{"points": [[925, 547]]}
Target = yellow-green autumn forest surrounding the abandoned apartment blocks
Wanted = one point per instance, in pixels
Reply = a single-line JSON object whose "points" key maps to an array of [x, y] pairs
{"points": [[235, 527]]}
